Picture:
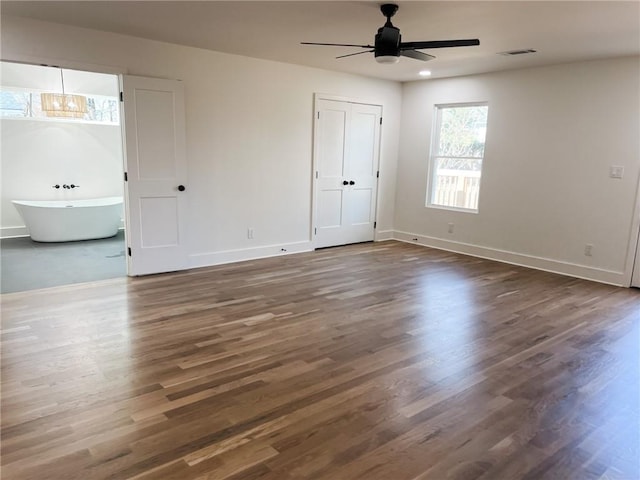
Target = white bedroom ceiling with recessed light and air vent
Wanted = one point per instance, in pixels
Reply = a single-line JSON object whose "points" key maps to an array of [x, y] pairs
{"points": [[560, 31]]}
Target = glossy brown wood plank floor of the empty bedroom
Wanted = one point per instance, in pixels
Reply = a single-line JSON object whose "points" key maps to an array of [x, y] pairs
{"points": [[376, 361]]}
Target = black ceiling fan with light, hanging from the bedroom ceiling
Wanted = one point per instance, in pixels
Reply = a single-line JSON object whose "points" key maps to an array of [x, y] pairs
{"points": [[388, 46]]}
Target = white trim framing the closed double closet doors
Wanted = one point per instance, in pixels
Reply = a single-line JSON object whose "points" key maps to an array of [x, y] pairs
{"points": [[315, 167]]}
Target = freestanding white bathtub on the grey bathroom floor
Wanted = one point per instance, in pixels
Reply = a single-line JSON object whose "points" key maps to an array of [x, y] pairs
{"points": [[70, 220]]}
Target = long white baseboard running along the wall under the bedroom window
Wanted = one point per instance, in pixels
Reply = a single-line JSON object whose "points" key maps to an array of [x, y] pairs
{"points": [[539, 263]]}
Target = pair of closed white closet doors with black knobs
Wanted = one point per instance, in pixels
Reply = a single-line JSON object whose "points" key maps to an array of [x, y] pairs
{"points": [[346, 154]]}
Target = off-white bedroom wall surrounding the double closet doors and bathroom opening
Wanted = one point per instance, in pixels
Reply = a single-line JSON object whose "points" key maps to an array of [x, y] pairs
{"points": [[249, 131]]}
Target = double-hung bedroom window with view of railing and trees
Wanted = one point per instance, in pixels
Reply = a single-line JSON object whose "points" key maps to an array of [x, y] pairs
{"points": [[457, 150]]}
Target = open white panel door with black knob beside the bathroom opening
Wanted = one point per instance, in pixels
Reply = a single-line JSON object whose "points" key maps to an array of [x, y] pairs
{"points": [[156, 173]]}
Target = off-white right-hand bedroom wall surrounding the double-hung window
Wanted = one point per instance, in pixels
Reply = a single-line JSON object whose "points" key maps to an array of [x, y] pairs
{"points": [[552, 134]]}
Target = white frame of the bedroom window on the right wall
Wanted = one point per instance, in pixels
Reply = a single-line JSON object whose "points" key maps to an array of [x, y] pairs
{"points": [[433, 156]]}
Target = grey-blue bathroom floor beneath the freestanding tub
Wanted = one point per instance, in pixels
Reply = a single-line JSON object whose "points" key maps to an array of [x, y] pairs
{"points": [[29, 265]]}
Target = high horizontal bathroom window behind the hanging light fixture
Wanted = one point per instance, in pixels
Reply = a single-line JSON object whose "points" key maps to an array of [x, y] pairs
{"points": [[26, 103]]}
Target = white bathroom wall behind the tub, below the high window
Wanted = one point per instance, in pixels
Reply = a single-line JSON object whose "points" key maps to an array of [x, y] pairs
{"points": [[35, 155]]}
